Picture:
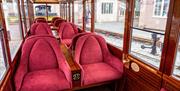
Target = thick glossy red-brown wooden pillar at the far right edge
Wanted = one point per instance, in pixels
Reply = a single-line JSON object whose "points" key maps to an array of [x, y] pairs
{"points": [[171, 40]]}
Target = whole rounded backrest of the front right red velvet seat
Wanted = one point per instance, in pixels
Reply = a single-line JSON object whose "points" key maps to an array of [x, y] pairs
{"points": [[88, 49]]}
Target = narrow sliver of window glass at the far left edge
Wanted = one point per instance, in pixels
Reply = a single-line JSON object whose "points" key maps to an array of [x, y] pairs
{"points": [[3, 61]]}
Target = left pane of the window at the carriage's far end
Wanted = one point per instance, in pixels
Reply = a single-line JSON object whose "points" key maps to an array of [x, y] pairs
{"points": [[40, 10]]}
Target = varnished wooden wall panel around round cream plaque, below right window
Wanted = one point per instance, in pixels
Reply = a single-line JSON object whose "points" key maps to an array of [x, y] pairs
{"points": [[146, 79]]}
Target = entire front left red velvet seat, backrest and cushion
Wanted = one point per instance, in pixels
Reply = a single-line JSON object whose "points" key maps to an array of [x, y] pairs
{"points": [[42, 66]]}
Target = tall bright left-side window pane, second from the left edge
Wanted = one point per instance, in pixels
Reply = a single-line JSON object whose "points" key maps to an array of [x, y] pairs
{"points": [[12, 20]]}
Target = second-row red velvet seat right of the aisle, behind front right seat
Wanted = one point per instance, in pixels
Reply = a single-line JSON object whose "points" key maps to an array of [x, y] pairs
{"points": [[66, 32]]}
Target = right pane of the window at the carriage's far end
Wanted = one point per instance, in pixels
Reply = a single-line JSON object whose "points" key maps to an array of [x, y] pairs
{"points": [[53, 11]]}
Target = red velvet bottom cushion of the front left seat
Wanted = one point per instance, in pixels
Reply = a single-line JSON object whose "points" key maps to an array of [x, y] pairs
{"points": [[46, 80]]}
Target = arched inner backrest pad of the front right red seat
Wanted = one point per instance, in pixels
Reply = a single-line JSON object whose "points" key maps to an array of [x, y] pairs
{"points": [[91, 51]]}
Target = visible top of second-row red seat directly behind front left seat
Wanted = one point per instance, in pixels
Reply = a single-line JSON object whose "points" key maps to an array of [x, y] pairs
{"points": [[40, 28]]}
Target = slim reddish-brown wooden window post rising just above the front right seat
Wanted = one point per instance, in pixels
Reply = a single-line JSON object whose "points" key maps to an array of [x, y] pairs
{"points": [[92, 15]]}
